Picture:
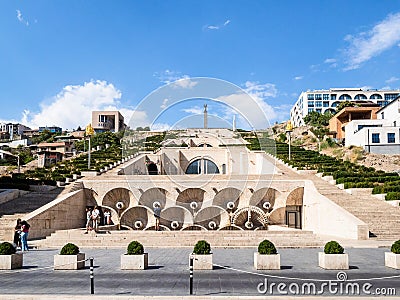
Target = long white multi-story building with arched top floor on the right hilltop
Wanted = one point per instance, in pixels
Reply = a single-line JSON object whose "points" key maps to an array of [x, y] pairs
{"points": [[327, 100]]}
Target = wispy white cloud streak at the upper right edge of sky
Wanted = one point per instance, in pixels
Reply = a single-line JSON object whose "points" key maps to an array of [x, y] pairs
{"points": [[367, 45]]}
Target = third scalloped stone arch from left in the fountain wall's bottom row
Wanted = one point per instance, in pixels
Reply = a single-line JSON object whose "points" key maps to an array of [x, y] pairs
{"points": [[210, 215]]}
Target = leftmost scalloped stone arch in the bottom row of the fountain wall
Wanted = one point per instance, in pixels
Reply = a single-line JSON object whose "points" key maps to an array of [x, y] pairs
{"points": [[137, 218]]}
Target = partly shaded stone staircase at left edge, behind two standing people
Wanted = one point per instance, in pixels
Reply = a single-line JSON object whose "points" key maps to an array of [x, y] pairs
{"points": [[19, 207]]}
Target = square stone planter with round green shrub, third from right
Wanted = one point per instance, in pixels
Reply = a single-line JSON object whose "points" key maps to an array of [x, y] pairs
{"points": [[267, 257]]}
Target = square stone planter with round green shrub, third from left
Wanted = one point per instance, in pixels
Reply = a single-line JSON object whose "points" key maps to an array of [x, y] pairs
{"points": [[135, 258]]}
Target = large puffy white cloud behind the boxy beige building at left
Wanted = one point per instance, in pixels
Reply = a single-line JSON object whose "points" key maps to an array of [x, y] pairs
{"points": [[73, 106]]}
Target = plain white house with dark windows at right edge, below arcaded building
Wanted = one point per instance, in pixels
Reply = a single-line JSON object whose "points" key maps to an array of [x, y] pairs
{"points": [[380, 136]]}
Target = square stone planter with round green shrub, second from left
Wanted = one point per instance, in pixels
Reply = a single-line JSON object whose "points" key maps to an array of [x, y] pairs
{"points": [[69, 258]]}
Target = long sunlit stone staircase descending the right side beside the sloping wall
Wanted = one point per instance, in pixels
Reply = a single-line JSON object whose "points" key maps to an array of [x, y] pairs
{"points": [[383, 219]]}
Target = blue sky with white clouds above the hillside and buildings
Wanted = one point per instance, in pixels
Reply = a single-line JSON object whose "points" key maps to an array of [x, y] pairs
{"points": [[61, 59]]}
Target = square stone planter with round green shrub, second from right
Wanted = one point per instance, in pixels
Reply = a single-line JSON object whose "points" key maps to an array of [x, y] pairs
{"points": [[333, 257]]}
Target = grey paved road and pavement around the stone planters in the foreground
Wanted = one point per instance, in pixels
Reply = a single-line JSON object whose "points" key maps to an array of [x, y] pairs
{"points": [[168, 274]]}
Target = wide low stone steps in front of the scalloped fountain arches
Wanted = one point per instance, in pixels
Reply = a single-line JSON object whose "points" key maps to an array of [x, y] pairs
{"points": [[235, 238]]}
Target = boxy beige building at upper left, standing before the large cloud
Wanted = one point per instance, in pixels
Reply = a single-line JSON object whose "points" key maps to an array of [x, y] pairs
{"points": [[107, 121]]}
